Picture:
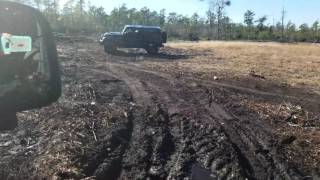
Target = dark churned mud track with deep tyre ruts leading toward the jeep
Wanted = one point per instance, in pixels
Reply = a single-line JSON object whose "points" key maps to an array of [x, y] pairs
{"points": [[181, 129]]}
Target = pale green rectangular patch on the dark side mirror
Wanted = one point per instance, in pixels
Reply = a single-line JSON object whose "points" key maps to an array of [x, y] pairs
{"points": [[11, 44]]}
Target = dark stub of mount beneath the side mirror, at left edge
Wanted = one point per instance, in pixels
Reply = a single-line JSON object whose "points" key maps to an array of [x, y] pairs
{"points": [[8, 121]]}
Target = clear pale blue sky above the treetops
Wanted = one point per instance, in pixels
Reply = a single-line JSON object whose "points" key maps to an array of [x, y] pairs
{"points": [[299, 11]]}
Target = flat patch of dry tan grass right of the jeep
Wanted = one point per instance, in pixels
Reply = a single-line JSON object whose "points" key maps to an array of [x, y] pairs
{"points": [[293, 64]]}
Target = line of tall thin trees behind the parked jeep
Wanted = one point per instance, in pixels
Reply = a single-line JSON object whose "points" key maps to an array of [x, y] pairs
{"points": [[80, 16]]}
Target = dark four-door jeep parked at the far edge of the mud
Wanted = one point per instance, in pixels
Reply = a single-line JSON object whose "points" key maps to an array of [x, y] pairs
{"points": [[150, 38]]}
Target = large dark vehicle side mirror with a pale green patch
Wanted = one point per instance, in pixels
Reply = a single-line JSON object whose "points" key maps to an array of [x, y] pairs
{"points": [[29, 69]]}
